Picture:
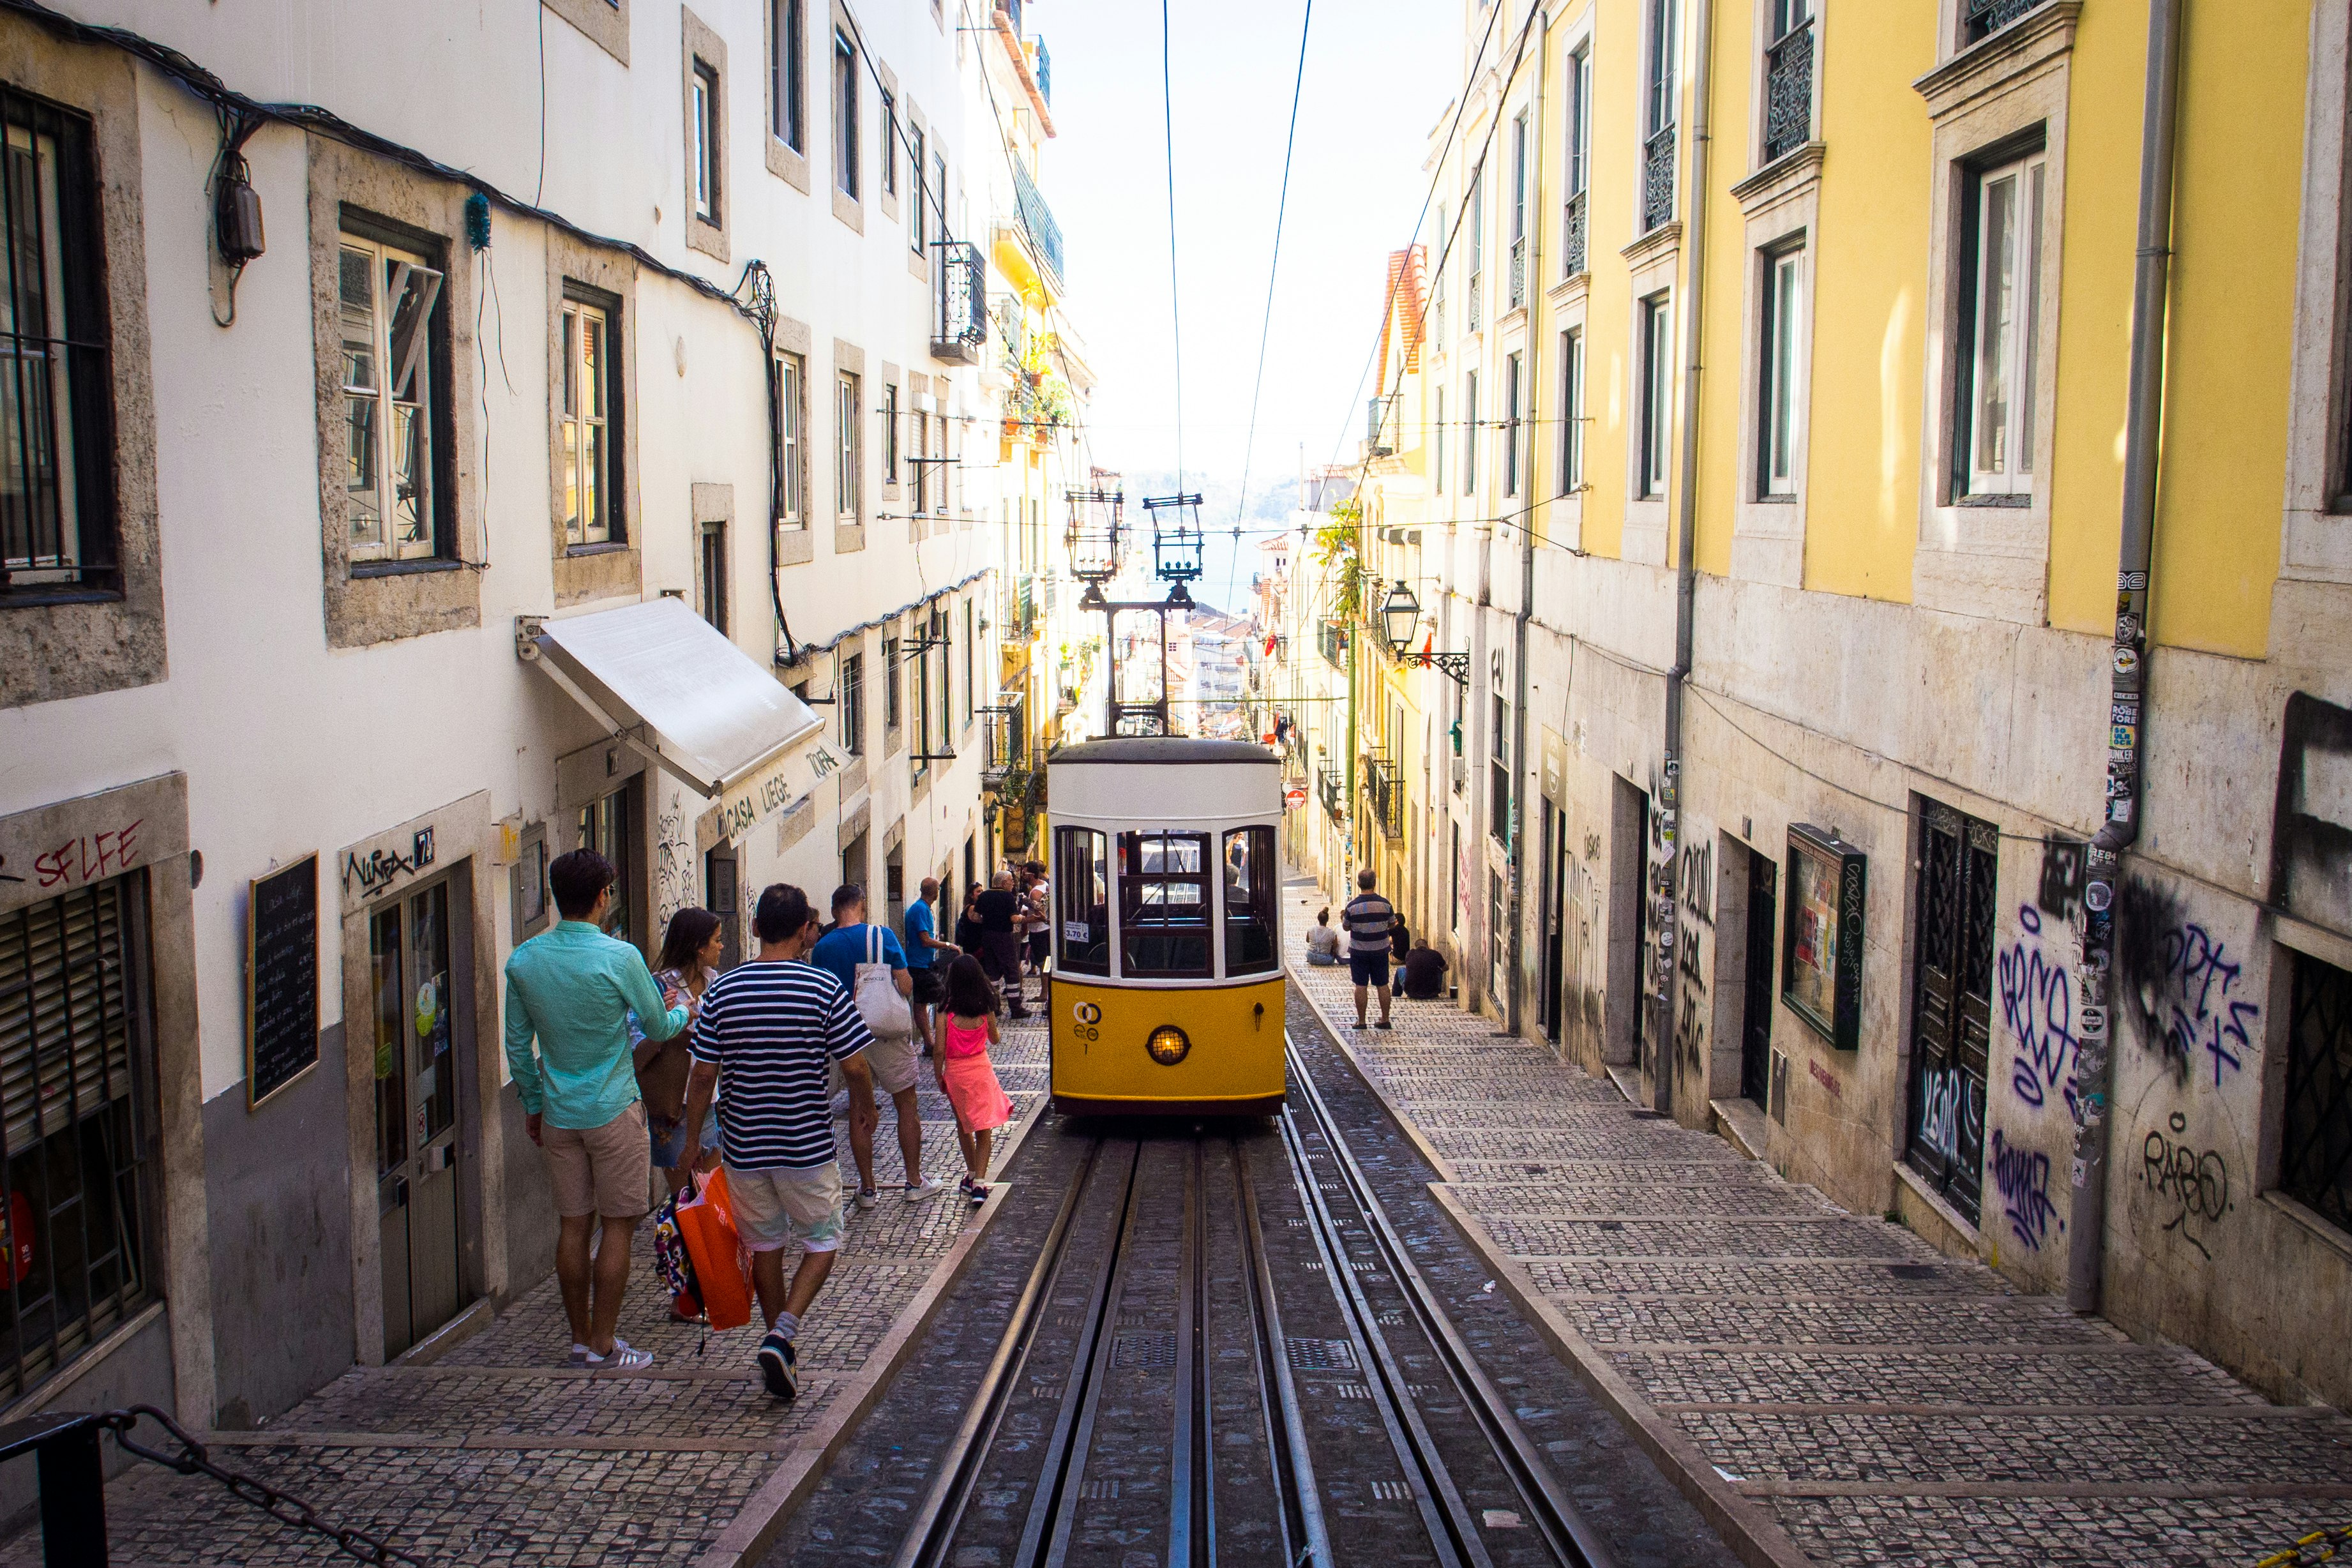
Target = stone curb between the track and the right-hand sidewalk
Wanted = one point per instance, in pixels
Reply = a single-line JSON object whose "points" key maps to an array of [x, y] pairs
{"points": [[1744, 1525]]}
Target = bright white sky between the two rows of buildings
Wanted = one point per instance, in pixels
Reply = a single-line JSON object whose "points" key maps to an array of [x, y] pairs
{"points": [[1377, 79]]}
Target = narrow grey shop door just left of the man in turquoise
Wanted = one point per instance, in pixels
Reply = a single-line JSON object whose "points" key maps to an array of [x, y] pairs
{"points": [[417, 1068]]}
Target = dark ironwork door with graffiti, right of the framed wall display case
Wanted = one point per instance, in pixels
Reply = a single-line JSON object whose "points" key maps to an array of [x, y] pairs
{"points": [[1953, 1012]]}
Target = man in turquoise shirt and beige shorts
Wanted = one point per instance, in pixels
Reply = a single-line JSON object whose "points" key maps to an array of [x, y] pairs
{"points": [[575, 989]]}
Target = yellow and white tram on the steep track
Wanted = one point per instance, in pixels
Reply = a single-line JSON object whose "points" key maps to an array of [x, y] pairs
{"points": [[1168, 927]]}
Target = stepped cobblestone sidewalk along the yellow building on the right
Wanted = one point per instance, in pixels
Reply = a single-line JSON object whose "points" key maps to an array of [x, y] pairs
{"points": [[1838, 1391]]}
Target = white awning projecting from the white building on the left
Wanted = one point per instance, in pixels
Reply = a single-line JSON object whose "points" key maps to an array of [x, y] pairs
{"points": [[671, 685]]}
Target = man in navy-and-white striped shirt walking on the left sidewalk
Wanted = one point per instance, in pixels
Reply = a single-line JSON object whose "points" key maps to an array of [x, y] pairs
{"points": [[766, 1038]]}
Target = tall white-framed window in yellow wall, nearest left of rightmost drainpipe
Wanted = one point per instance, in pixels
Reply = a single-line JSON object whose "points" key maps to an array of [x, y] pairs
{"points": [[2000, 328]]}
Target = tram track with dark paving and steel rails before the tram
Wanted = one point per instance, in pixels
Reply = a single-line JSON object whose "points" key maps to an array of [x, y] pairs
{"points": [[1144, 1395]]}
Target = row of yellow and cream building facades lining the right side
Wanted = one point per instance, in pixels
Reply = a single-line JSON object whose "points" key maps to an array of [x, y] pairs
{"points": [[1756, 483]]}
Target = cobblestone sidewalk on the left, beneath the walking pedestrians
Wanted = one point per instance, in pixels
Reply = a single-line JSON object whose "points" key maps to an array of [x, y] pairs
{"points": [[502, 1454]]}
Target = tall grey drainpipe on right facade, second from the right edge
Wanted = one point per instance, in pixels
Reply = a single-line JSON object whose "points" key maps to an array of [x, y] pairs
{"points": [[1695, 236]]}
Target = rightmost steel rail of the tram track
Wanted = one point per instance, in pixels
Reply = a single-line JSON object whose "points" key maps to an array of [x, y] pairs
{"points": [[1570, 1539]]}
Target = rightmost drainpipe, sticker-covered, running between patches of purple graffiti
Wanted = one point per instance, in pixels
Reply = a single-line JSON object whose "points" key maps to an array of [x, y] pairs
{"points": [[2144, 429]]}
